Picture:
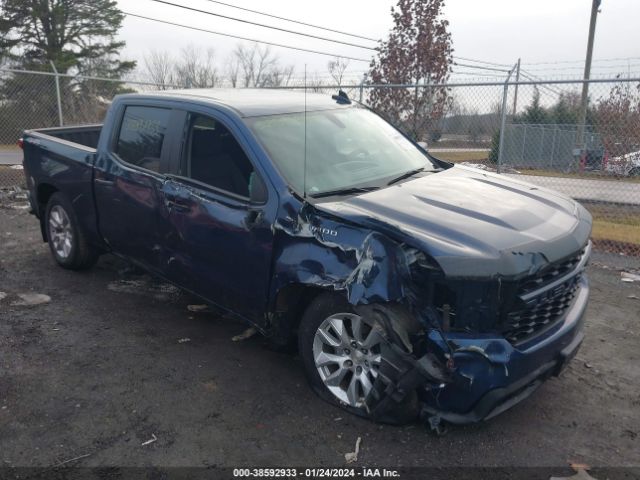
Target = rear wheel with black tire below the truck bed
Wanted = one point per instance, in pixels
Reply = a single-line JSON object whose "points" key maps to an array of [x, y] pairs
{"points": [[80, 254]]}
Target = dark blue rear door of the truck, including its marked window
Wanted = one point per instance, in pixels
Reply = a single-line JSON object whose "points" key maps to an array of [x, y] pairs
{"points": [[128, 179]]}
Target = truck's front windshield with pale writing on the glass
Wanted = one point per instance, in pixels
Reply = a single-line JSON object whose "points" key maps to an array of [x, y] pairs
{"points": [[346, 148]]}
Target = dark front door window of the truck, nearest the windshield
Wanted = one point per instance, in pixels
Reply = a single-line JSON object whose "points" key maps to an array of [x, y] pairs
{"points": [[214, 157]]}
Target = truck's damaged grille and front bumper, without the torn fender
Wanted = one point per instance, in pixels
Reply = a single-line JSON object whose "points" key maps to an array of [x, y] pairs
{"points": [[483, 345]]}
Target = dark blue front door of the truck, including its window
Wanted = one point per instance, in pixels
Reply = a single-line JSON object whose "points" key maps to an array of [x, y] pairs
{"points": [[219, 240]]}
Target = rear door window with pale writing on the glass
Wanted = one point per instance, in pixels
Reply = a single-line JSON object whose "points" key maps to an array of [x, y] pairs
{"points": [[141, 136]]}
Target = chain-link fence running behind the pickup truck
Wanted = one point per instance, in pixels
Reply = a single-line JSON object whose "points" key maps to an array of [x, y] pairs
{"points": [[537, 131]]}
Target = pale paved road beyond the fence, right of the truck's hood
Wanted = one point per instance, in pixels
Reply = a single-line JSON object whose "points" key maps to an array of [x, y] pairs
{"points": [[595, 190]]}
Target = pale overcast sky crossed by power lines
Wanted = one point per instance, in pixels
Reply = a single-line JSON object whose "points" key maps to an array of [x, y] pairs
{"points": [[491, 30]]}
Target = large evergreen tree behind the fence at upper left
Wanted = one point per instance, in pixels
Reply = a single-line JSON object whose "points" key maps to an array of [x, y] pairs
{"points": [[79, 38]]}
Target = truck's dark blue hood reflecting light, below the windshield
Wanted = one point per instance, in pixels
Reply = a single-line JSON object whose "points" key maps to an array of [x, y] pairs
{"points": [[474, 223]]}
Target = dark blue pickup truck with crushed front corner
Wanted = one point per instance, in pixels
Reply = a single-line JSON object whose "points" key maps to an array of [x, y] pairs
{"points": [[411, 287]]}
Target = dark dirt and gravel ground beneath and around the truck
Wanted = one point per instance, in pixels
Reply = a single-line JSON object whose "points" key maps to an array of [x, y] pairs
{"points": [[115, 371]]}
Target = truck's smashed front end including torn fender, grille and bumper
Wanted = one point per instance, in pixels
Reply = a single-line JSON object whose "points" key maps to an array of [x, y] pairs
{"points": [[455, 349]]}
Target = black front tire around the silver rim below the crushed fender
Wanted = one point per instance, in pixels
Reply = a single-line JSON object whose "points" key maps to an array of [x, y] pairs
{"points": [[322, 307]]}
